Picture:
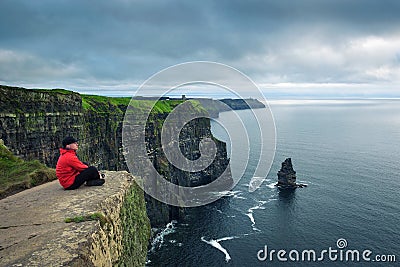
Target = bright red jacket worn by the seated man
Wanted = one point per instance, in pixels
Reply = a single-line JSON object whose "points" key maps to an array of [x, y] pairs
{"points": [[68, 167]]}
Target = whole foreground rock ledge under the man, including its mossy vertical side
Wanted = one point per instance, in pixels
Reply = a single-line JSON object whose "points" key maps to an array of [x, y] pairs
{"points": [[34, 231]]}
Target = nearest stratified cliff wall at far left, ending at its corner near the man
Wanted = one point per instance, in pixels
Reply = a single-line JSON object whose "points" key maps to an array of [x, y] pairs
{"points": [[33, 123]]}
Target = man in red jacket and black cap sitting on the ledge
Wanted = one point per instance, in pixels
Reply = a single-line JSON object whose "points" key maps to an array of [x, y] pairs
{"points": [[71, 172]]}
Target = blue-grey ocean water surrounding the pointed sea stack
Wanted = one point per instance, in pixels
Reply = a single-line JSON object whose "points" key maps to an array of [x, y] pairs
{"points": [[347, 152]]}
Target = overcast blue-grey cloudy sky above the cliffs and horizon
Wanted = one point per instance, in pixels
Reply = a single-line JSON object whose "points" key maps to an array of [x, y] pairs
{"points": [[314, 48]]}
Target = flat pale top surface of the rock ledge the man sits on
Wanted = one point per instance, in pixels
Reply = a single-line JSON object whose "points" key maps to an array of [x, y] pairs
{"points": [[32, 227]]}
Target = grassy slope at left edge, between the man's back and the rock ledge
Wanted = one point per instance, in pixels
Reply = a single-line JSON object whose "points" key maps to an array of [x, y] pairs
{"points": [[17, 174]]}
